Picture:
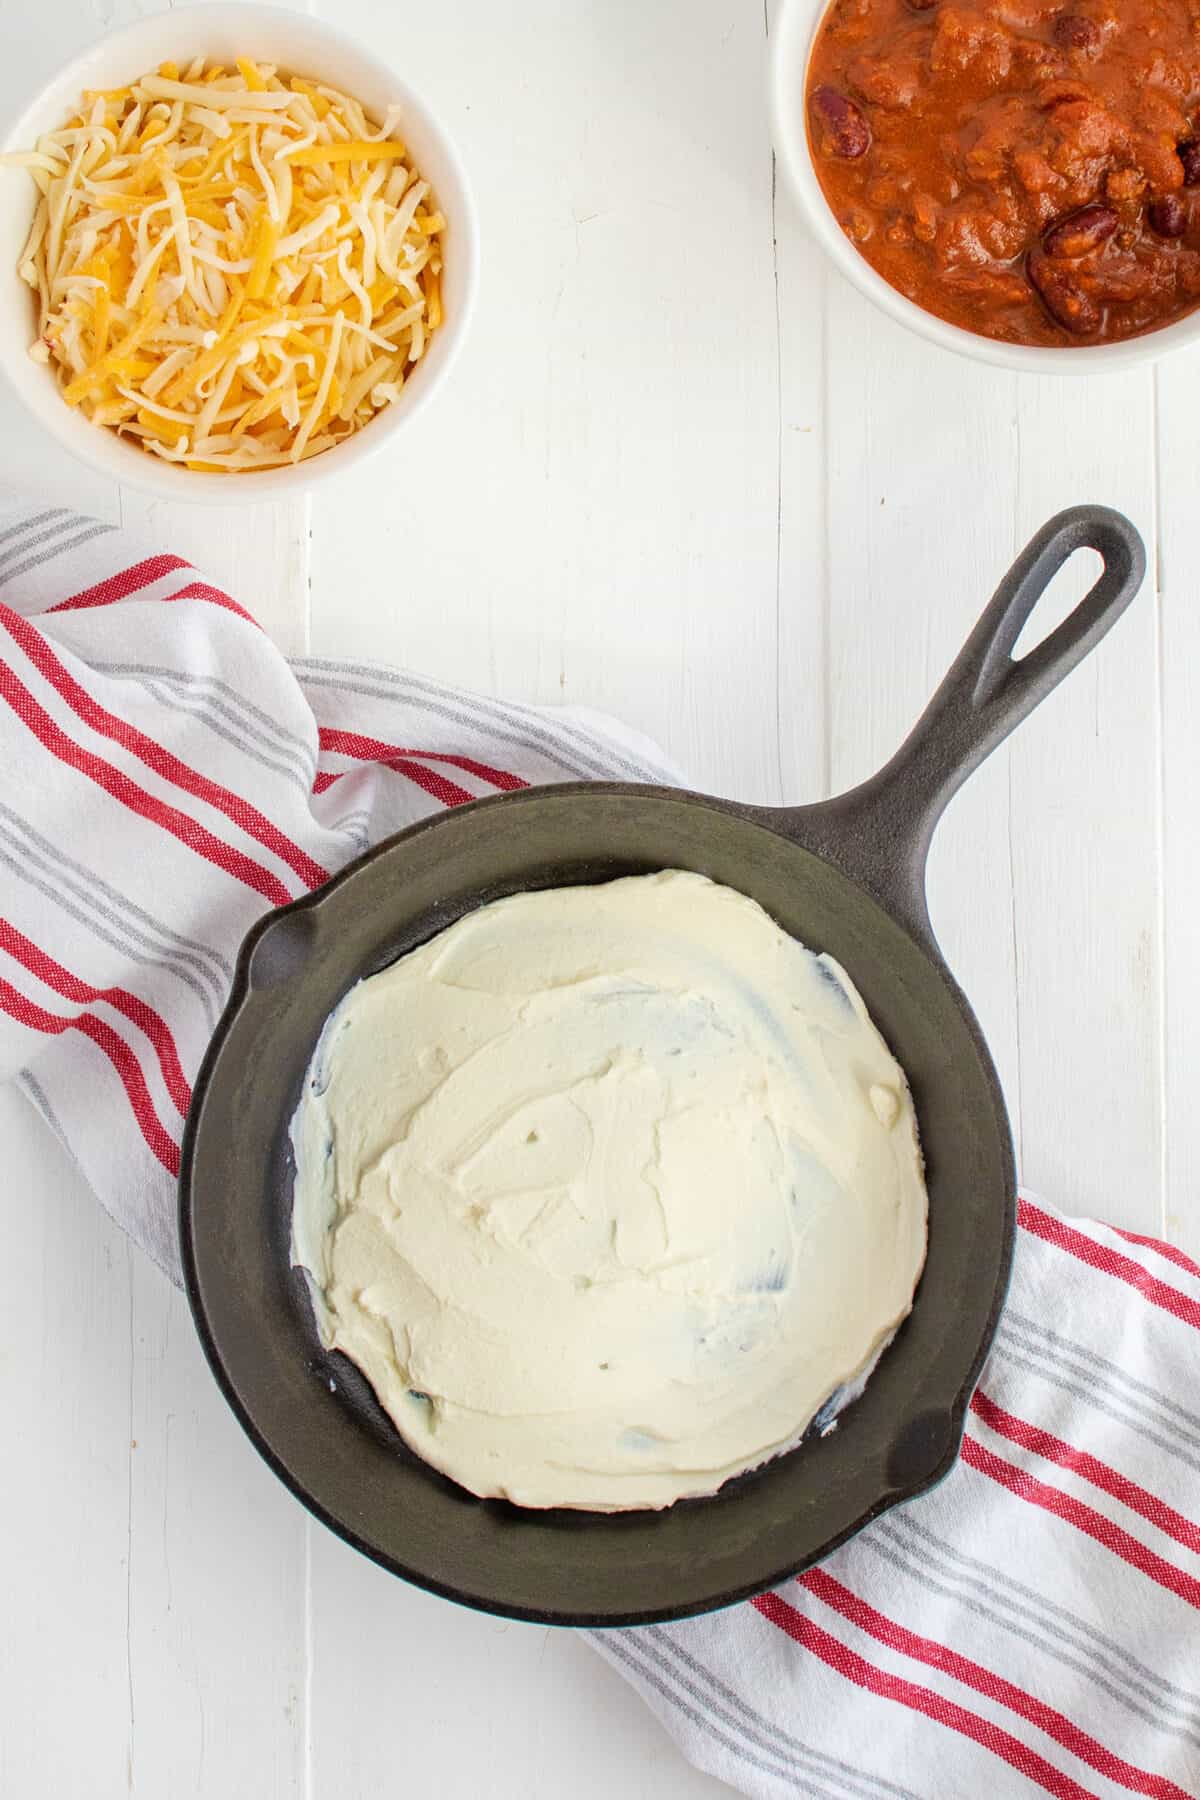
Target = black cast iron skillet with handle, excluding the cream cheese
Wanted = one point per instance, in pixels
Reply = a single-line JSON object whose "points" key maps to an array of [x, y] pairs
{"points": [[848, 877]]}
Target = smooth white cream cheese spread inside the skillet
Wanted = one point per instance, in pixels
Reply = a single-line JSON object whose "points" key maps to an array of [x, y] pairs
{"points": [[607, 1191]]}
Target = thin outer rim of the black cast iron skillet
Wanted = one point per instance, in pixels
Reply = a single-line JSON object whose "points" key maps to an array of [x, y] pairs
{"points": [[771, 820]]}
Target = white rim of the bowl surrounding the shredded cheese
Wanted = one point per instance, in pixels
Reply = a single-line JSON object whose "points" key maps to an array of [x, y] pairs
{"points": [[132, 469]]}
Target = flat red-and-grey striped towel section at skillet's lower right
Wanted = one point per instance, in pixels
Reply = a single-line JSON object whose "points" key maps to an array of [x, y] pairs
{"points": [[1028, 1628]]}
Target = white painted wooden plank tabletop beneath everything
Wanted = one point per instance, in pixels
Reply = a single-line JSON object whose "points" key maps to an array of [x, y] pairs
{"points": [[683, 474]]}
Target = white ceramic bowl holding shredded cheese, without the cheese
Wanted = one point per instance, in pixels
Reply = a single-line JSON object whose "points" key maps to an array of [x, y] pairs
{"points": [[298, 44]]}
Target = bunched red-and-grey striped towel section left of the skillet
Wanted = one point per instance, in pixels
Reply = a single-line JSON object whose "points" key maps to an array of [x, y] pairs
{"points": [[166, 777]]}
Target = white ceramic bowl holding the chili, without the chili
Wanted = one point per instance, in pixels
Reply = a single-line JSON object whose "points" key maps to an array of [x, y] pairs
{"points": [[793, 42]]}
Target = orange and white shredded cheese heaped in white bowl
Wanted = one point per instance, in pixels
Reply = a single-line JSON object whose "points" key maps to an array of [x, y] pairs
{"points": [[233, 269]]}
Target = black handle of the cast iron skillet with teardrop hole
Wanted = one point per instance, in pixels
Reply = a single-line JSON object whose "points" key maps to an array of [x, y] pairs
{"points": [[881, 832]]}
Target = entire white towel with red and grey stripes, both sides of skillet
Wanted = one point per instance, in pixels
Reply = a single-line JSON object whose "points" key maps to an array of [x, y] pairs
{"points": [[1032, 1626]]}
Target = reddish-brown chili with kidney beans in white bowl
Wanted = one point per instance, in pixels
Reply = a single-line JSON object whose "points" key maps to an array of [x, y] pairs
{"points": [[1021, 168]]}
